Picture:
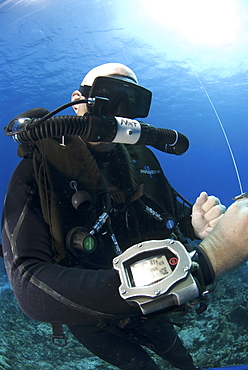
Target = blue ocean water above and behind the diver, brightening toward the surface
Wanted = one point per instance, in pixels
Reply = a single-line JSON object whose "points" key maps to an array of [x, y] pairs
{"points": [[47, 46]]}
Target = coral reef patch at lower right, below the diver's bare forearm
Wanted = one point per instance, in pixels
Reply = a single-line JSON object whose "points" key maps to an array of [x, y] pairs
{"points": [[219, 336]]}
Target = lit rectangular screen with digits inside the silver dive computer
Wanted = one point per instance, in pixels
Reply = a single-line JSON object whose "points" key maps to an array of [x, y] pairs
{"points": [[150, 270]]}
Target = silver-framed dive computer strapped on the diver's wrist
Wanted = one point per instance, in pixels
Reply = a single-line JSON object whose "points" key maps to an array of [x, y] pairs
{"points": [[157, 275]]}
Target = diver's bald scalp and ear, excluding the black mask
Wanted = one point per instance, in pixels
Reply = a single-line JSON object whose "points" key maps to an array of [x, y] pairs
{"points": [[114, 70]]}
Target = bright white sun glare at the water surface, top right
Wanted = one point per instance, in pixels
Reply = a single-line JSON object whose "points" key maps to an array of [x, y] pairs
{"points": [[213, 22]]}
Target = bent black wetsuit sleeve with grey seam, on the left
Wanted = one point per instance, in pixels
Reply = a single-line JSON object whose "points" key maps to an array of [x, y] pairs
{"points": [[46, 291]]}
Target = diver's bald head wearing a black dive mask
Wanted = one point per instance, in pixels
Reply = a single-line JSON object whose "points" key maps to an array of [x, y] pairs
{"points": [[119, 84]]}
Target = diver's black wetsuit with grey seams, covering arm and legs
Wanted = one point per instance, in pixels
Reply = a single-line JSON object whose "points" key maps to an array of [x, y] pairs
{"points": [[85, 294]]}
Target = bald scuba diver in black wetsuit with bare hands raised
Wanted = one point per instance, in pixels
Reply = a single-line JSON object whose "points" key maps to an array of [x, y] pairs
{"points": [[75, 207]]}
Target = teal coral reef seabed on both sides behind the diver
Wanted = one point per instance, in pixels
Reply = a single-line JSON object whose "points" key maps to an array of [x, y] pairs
{"points": [[217, 337]]}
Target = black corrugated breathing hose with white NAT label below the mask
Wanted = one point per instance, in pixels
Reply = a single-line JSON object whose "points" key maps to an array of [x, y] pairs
{"points": [[95, 126]]}
